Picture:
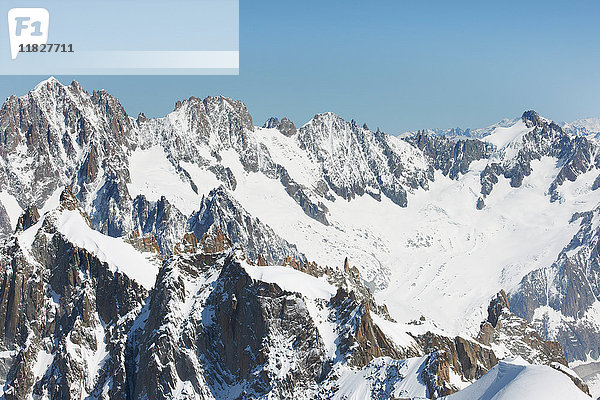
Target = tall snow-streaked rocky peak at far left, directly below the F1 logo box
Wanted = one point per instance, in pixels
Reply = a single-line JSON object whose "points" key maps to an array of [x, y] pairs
{"points": [[64, 135]]}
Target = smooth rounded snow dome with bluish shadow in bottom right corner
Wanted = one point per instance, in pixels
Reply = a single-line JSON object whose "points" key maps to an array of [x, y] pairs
{"points": [[516, 379]]}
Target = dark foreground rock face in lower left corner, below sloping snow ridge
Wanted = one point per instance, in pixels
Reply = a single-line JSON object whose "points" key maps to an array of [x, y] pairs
{"points": [[65, 314]]}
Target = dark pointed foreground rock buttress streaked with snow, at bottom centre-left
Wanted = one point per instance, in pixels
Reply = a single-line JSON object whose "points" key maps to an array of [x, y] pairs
{"points": [[236, 336]]}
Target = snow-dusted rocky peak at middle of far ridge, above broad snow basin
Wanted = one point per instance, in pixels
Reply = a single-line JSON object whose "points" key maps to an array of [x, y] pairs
{"points": [[366, 162]]}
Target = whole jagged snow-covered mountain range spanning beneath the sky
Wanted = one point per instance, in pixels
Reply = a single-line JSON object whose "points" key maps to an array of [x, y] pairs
{"points": [[211, 252]]}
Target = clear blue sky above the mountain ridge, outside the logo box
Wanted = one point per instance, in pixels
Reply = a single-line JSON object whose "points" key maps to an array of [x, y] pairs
{"points": [[397, 65]]}
